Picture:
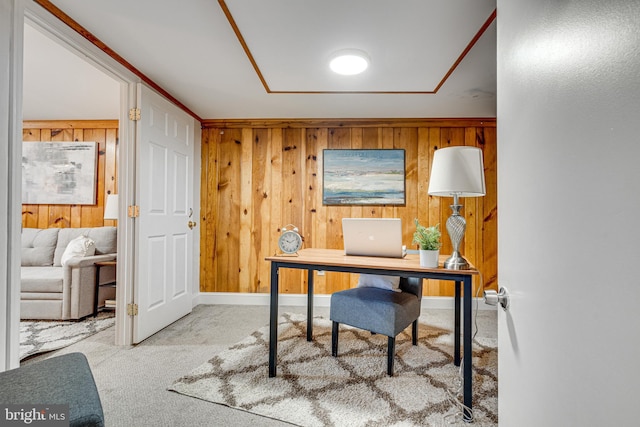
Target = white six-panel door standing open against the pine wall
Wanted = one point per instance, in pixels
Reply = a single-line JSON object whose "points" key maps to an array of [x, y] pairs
{"points": [[164, 194]]}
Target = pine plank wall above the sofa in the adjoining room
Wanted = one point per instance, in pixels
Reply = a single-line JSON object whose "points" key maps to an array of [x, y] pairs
{"points": [[105, 133]]}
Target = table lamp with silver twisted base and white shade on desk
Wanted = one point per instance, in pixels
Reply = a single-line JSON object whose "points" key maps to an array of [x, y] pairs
{"points": [[457, 172]]}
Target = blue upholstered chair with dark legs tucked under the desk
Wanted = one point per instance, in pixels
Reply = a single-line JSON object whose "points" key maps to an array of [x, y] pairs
{"points": [[380, 311]]}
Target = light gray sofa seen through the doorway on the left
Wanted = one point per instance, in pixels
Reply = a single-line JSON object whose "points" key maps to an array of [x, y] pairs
{"points": [[52, 291]]}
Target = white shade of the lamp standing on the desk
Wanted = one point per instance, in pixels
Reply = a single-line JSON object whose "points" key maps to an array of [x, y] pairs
{"points": [[457, 171]]}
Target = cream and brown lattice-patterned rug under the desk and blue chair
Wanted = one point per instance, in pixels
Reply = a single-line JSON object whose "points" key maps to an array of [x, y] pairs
{"points": [[312, 388]]}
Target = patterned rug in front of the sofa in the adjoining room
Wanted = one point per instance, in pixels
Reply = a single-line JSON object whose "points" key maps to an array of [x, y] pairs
{"points": [[40, 336]]}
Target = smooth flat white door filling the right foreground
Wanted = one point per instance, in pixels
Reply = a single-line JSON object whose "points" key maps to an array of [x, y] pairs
{"points": [[569, 198]]}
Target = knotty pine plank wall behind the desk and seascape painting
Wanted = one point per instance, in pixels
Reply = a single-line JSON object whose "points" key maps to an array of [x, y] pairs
{"points": [[258, 176]]}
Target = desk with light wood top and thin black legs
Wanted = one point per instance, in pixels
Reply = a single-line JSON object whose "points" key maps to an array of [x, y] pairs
{"points": [[335, 260]]}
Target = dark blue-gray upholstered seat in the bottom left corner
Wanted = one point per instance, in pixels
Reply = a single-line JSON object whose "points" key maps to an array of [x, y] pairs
{"points": [[60, 380]]}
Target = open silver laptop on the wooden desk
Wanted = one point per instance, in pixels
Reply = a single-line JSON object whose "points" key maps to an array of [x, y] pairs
{"points": [[373, 237]]}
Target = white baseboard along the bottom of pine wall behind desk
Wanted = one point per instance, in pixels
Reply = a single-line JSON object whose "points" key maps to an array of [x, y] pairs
{"points": [[231, 298]]}
